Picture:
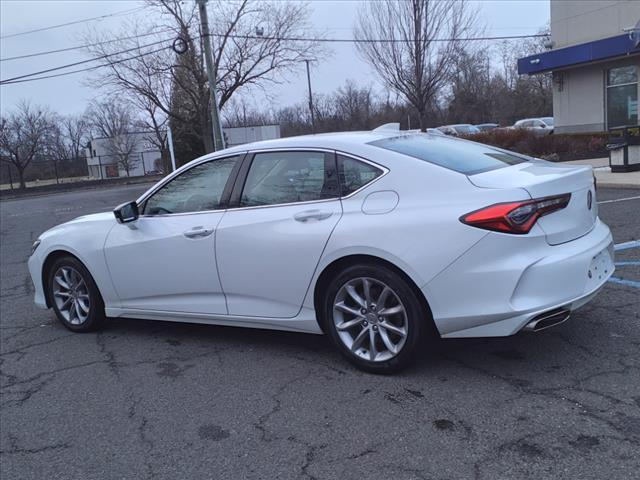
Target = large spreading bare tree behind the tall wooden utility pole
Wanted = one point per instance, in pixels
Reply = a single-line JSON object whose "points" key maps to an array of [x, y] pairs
{"points": [[251, 48]]}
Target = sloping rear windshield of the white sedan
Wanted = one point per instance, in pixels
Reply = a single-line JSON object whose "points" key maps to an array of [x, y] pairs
{"points": [[464, 157]]}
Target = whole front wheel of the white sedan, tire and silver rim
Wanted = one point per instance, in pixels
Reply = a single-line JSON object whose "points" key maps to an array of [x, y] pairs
{"points": [[74, 295]]}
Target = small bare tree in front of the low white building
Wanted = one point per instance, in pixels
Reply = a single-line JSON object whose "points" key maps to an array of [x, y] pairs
{"points": [[114, 121]]}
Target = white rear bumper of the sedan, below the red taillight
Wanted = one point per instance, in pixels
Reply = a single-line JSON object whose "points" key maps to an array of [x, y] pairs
{"points": [[504, 282]]}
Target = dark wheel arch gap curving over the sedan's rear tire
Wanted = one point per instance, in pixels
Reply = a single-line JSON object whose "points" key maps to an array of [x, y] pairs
{"points": [[359, 259]]}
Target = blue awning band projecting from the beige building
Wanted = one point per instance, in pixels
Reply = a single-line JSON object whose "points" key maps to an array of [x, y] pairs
{"points": [[611, 47]]}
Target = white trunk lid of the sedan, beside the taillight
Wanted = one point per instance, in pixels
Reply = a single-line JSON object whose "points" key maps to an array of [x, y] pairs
{"points": [[545, 179]]}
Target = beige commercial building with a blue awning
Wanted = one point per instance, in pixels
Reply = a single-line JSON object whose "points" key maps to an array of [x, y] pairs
{"points": [[594, 57]]}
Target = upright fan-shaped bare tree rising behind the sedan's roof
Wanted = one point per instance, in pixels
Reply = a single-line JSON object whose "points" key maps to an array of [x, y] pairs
{"points": [[420, 39]]}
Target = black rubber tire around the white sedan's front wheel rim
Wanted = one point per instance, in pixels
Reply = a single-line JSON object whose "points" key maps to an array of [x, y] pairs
{"points": [[95, 316]]}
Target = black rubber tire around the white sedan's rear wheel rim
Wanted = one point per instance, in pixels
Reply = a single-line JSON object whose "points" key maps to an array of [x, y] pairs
{"points": [[417, 317]]}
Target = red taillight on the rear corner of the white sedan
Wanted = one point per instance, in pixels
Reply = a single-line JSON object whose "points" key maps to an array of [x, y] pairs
{"points": [[515, 217]]}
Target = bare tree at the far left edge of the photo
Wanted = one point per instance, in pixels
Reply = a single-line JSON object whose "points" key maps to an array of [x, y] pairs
{"points": [[23, 136]]}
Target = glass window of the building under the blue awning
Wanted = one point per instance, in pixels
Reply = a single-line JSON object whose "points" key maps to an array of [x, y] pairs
{"points": [[622, 96]]}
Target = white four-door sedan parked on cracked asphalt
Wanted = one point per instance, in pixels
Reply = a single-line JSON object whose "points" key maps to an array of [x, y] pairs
{"points": [[377, 239]]}
